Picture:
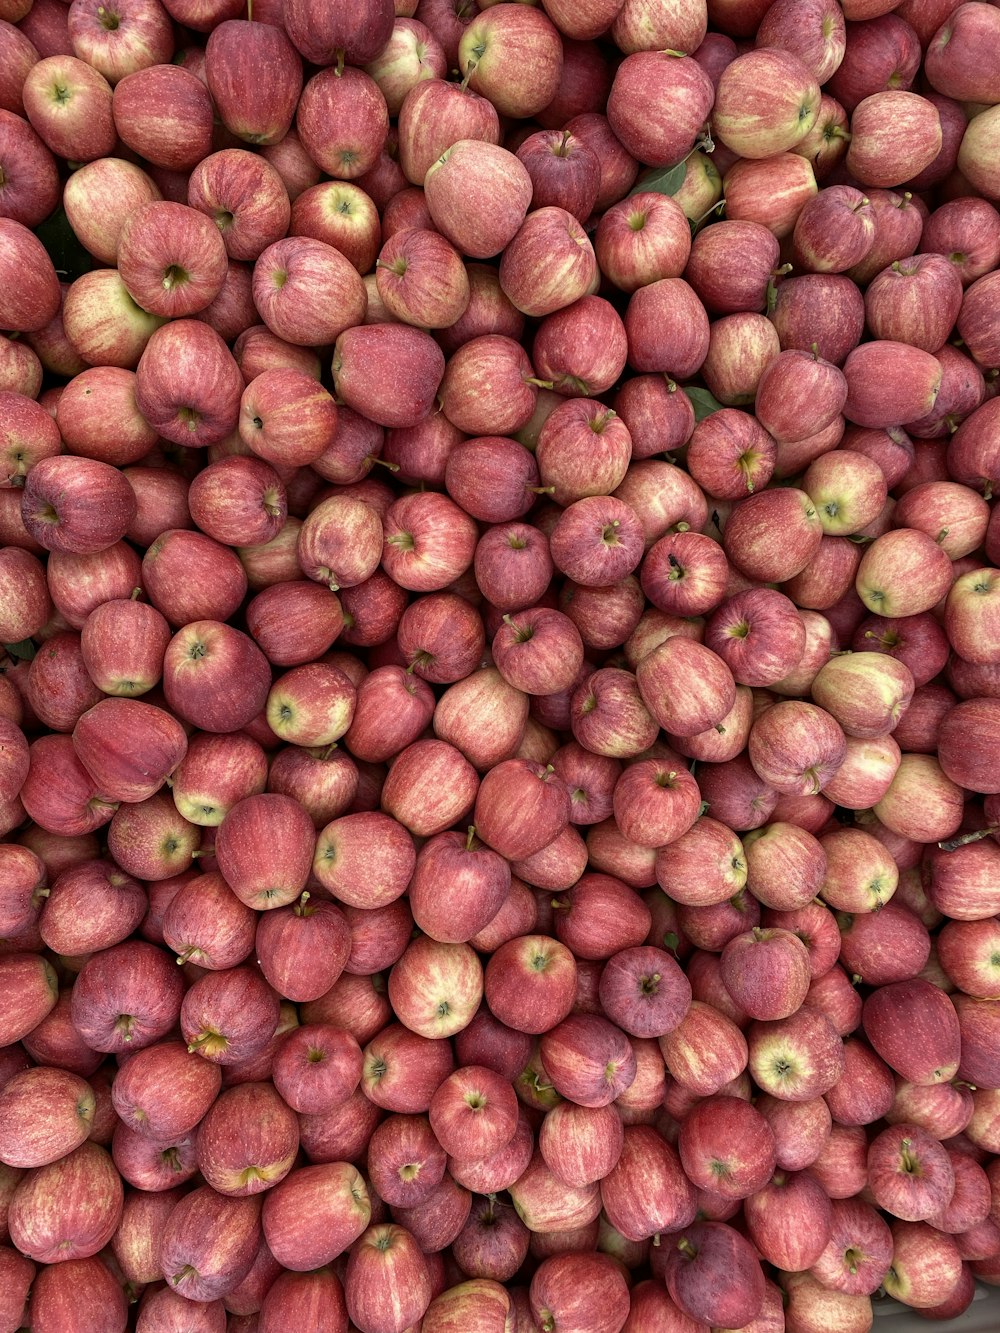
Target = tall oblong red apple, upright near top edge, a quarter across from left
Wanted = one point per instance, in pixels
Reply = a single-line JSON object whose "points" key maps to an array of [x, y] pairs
{"points": [[255, 78]]}
